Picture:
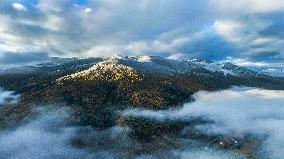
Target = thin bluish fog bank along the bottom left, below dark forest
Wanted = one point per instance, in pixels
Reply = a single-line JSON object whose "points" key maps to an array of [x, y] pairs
{"points": [[47, 135]]}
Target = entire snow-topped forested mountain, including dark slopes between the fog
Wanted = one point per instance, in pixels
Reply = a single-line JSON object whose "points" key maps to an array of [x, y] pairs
{"points": [[97, 89]]}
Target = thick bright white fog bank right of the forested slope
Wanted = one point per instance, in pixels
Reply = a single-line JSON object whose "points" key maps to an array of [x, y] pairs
{"points": [[236, 112]]}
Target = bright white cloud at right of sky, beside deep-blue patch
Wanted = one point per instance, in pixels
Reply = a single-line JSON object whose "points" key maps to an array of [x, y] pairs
{"points": [[245, 34]]}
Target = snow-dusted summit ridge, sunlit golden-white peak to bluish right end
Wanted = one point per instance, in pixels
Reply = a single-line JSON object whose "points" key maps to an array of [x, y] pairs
{"points": [[153, 64]]}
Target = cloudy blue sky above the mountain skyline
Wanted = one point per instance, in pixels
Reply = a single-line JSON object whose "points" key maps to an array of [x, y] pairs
{"points": [[244, 30]]}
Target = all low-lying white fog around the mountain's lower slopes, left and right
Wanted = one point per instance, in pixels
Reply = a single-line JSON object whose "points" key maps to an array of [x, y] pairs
{"points": [[234, 112]]}
